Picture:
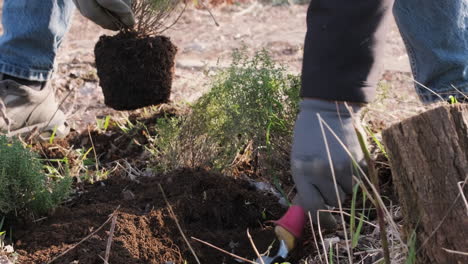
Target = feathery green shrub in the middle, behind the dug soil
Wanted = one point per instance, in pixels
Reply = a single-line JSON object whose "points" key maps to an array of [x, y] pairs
{"points": [[248, 114]]}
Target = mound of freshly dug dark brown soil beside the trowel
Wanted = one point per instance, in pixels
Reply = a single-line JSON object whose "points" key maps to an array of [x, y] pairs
{"points": [[211, 207]]}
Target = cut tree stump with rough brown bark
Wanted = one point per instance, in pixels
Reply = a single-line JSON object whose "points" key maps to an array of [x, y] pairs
{"points": [[428, 155]]}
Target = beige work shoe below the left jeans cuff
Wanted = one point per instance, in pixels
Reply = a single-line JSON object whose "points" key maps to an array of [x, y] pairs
{"points": [[29, 107]]}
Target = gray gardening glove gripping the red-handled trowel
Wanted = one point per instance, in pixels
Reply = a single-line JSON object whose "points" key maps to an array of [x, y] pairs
{"points": [[309, 162]]}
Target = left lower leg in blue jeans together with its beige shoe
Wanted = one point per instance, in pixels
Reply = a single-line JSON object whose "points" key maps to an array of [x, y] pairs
{"points": [[33, 31]]}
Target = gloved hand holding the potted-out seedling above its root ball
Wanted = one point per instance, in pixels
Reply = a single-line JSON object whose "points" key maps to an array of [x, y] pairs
{"points": [[109, 14]]}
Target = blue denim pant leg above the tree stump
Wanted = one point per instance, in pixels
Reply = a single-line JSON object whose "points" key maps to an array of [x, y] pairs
{"points": [[435, 33]]}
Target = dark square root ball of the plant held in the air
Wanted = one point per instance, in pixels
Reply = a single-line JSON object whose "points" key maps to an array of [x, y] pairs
{"points": [[135, 71]]}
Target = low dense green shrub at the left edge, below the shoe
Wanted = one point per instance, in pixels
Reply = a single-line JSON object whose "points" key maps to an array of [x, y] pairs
{"points": [[24, 186]]}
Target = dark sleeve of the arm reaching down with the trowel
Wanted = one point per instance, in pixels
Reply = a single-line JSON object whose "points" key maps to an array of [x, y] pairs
{"points": [[343, 49]]}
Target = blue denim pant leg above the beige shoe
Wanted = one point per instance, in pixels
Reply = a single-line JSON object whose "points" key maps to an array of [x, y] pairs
{"points": [[33, 31]]}
